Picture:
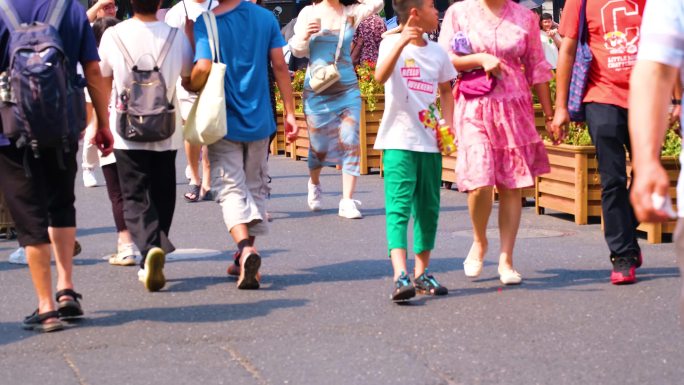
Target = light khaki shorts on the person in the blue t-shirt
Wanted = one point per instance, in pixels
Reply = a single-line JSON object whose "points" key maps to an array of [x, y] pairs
{"points": [[239, 180]]}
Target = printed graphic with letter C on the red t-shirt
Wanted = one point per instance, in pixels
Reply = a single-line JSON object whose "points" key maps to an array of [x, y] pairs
{"points": [[621, 33]]}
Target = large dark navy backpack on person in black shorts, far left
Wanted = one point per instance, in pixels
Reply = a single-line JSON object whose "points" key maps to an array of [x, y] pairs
{"points": [[44, 104]]}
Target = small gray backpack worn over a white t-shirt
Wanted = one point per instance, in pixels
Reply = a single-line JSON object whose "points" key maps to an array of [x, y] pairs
{"points": [[143, 112]]}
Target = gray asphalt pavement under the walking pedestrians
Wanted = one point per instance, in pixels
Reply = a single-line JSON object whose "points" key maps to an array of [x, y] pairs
{"points": [[323, 314]]}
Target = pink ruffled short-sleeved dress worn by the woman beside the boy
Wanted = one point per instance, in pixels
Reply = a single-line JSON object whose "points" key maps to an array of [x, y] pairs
{"points": [[498, 144]]}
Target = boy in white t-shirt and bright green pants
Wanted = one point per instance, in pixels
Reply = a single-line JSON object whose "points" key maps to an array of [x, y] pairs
{"points": [[414, 70]]}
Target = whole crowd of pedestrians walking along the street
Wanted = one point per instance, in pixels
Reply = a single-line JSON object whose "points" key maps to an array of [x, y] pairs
{"points": [[473, 88]]}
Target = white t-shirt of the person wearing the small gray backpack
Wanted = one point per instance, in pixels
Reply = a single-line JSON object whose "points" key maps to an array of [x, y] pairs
{"points": [[140, 39]]}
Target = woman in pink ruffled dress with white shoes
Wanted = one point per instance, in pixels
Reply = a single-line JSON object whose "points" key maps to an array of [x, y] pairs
{"points": [[498, 144]]}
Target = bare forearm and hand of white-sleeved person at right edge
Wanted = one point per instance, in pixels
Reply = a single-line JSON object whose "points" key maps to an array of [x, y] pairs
{"points": [[650, 86]]}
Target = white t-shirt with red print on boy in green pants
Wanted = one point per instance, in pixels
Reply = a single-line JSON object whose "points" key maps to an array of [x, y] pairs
{"points": [[412, 88]]}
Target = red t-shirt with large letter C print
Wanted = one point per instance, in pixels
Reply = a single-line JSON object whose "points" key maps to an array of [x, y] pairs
{"points": [[614, 30]]}
